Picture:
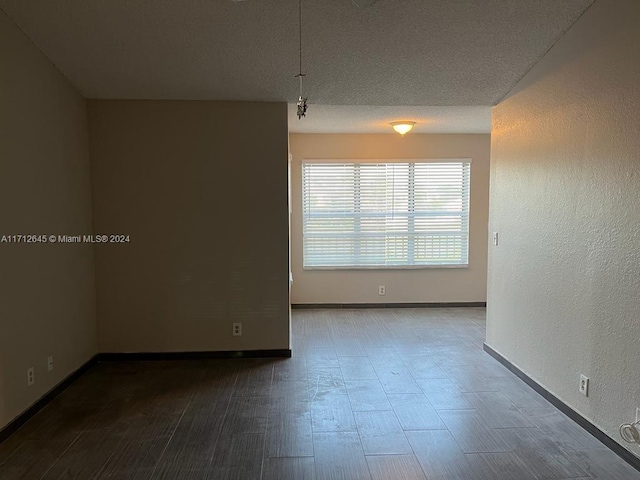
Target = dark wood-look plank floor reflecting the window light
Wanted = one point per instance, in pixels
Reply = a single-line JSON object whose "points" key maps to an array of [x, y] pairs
{"points": [[369, 394]]}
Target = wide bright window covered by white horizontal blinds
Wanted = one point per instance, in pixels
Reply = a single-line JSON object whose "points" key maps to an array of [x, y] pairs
{"points": [[385, 215]]}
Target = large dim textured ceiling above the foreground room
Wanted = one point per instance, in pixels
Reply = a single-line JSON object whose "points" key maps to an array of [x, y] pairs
{"points": [[396, 52]]}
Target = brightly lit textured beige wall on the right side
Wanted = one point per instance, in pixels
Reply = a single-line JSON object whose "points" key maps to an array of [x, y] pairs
{"points": [[564, 283]]}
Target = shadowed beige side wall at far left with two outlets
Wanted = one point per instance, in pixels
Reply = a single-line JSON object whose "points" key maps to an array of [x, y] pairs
{"points": [[47, 300]]}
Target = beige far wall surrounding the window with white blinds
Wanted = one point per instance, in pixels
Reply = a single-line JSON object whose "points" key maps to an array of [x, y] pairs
{"points": [[415, 285]]}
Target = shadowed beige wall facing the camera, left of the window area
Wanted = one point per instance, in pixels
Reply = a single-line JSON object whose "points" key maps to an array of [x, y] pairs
{"points": [[201, 188]]}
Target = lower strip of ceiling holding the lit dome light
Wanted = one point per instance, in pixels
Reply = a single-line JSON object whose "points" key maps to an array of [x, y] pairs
{"points": [[376, 119]]}
